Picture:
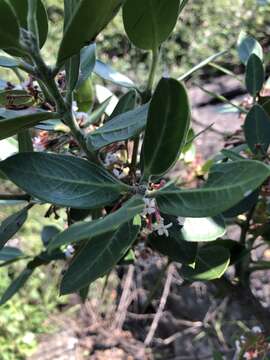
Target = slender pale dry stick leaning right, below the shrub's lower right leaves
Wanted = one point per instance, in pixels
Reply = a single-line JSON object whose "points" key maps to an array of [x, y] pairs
{"points": [[161, 307]]}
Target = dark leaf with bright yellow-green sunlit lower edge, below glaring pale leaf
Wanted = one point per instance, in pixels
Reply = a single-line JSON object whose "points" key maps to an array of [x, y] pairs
{"points": [[211, 264]]}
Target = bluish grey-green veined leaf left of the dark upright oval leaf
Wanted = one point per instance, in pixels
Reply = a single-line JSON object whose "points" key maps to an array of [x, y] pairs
{"points": [[120, 128]]}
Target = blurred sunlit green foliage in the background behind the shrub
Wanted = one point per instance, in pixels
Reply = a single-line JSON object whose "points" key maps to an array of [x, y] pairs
{"points": [[206, 27]]}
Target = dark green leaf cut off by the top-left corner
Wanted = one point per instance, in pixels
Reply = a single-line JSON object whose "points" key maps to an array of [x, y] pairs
{"points": [[9, 27]]}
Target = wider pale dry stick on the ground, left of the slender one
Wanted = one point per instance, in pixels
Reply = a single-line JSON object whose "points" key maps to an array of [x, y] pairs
{"points": [[125, 299]]}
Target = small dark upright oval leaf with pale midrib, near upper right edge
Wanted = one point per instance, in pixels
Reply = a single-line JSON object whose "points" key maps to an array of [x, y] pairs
{"points": [[254, 75]]}
